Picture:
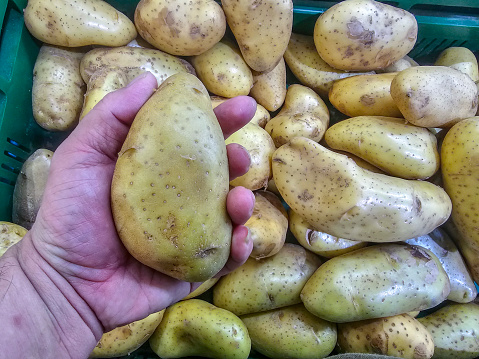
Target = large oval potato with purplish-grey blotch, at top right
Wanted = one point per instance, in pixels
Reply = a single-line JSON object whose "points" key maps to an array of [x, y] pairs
{"points": [[366, 35]]}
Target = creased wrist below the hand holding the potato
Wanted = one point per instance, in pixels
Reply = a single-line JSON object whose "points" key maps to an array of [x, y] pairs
{"points": [[41, 313]]}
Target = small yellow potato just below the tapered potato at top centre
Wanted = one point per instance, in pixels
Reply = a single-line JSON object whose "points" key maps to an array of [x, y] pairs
{"points": [[269, 87]]}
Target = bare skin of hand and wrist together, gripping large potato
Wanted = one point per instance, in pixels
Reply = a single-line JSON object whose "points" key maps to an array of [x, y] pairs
{"points": [[82, 278]]}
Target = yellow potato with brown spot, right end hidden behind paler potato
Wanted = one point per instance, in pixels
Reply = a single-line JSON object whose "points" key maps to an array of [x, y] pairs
{"points": [[364, 95]]}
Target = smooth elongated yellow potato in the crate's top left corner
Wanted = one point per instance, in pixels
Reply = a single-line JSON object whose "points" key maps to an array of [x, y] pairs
{"points": [[74, 23]]}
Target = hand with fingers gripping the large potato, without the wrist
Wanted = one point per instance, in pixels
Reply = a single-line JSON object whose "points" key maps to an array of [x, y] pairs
{"points": [[74, 231]]}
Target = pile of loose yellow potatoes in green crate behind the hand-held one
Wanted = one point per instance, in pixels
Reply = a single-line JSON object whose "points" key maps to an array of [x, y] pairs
{"points": [[360, 222]]}
